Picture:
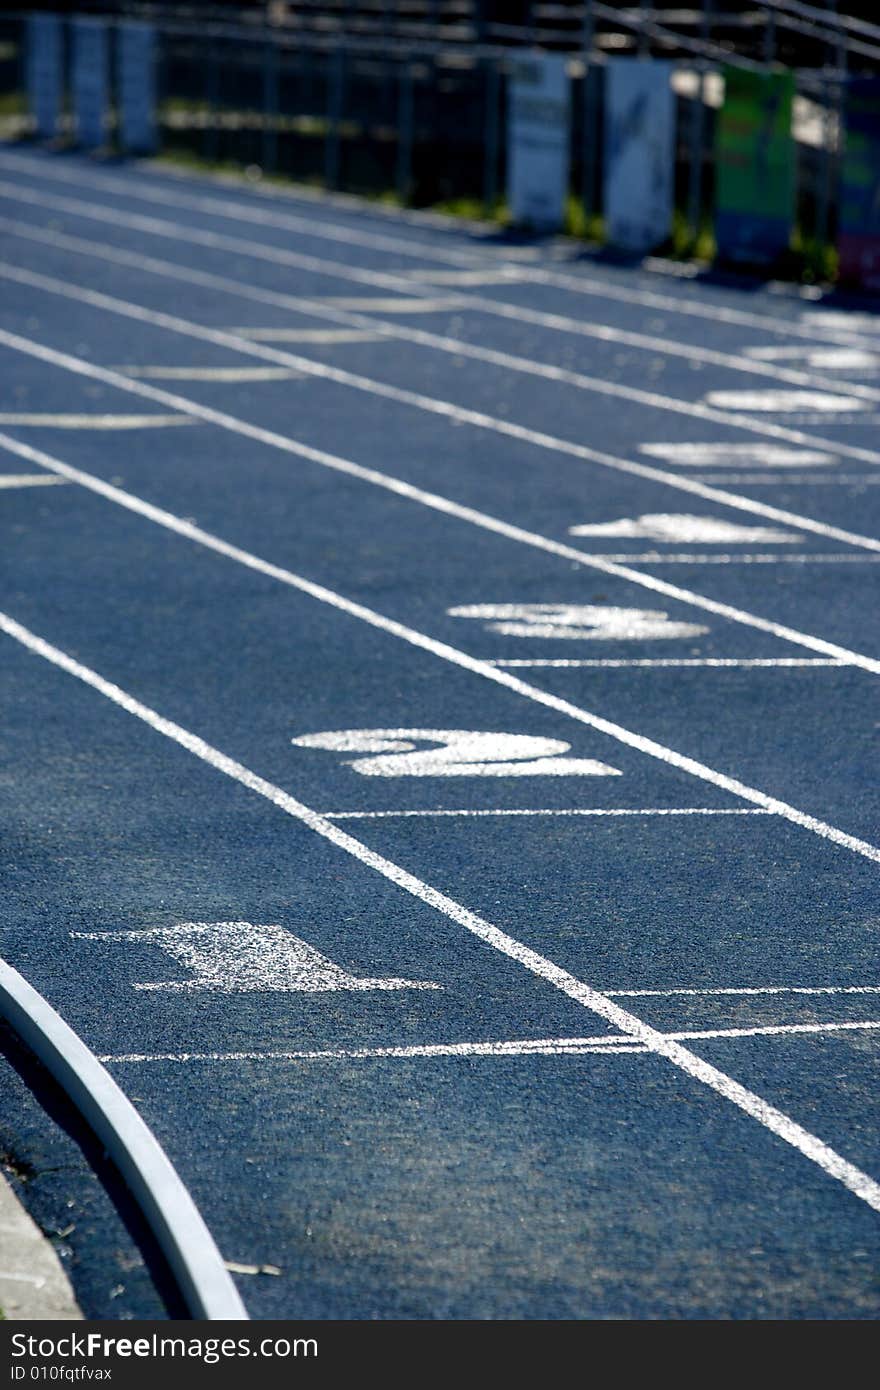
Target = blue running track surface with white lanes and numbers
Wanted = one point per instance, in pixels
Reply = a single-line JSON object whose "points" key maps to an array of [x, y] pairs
{"points": [[575, 1025]]}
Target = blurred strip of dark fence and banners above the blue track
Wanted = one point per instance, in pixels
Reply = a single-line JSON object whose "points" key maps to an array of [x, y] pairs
{"points": [[733, 134]]}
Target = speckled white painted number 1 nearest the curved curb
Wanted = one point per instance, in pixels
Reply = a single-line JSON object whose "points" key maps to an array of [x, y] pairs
{"points": [[243, 957]]}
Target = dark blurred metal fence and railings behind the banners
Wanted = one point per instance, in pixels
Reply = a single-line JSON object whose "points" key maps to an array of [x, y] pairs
{"points": [[407, 99]]}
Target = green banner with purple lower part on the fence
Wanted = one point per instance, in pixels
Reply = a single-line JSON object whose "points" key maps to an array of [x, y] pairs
{"points": [[756, 163]]}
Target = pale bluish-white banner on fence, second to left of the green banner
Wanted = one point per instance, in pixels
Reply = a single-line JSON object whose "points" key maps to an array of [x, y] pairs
{"points": [[539, 122]]}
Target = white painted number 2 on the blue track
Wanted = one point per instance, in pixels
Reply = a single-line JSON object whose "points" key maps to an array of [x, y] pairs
{"points": [[464, 754]]}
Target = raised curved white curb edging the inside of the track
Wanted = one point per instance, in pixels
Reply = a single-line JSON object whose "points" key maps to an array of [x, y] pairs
{"points": [[161, 1195]]}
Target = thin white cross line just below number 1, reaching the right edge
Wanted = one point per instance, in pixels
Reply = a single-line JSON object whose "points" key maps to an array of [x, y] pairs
{"points": [[528, 1047]]}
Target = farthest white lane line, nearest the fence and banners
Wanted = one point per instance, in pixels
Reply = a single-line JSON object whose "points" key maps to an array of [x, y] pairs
{"points": [[821, 325]]}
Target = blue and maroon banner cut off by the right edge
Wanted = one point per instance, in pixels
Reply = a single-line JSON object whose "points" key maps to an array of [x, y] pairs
{"points": [[858, 240]]}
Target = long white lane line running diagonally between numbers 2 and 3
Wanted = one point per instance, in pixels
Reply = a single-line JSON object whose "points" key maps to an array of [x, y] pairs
{"points": [[450, 654]]}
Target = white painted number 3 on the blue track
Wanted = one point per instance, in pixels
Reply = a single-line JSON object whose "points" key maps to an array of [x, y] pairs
{"points": [[586, 622]]}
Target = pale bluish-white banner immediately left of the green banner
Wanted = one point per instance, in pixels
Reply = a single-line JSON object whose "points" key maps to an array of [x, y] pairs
{"points": [[640, 154]]}
